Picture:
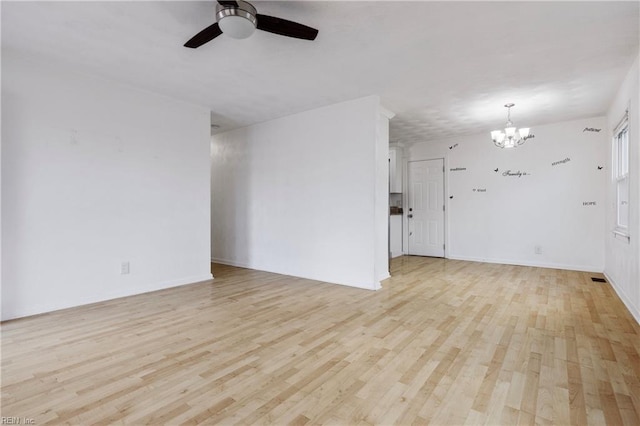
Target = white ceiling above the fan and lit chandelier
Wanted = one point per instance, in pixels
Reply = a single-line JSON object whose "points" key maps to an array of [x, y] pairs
{"points": [[445, 68]]}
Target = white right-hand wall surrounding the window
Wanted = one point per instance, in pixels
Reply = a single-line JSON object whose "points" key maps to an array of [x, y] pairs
{"points": [[622, 258]]}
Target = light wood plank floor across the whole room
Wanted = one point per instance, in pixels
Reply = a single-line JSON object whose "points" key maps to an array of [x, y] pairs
{"points": [[444, 342]]}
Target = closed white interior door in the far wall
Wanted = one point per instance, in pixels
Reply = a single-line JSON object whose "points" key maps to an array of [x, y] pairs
{"points": [[425, 216]]}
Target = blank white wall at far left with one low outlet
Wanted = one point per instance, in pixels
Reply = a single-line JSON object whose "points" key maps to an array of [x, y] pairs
{"points": [[94, 174]]}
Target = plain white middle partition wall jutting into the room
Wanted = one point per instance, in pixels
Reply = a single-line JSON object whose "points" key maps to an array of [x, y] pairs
{"points": [[297, 195]]}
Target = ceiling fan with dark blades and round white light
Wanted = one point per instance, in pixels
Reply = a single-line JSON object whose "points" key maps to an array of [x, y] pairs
{"points": [[239, 19]]}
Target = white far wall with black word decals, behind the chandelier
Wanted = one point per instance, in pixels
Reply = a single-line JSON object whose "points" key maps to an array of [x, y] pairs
{"points": [[497, 218]]}
